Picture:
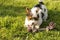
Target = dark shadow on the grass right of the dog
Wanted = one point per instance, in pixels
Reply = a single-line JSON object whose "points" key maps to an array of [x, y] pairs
{"points": [[53, 15]]}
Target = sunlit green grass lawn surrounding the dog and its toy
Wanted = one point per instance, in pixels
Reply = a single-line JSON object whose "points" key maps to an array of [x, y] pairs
{"points": [[12, 16]]}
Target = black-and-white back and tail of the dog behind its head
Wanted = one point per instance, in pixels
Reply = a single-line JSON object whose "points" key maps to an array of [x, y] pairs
{"points": [[43, 9]]}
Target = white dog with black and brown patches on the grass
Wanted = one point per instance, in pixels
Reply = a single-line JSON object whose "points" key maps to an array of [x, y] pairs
{"points": [[35, 16]]}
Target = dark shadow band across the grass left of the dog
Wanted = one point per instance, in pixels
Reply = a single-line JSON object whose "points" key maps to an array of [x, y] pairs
{"points": [[11, 11]]}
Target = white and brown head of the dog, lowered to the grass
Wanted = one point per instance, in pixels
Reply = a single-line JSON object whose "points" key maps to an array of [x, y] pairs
{"points": [[32, 17]]}
